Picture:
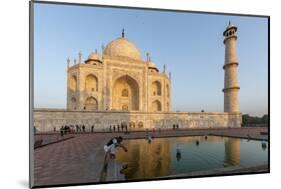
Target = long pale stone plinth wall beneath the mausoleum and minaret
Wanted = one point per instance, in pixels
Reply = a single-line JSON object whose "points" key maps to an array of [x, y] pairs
{"points": [[46, 120]]}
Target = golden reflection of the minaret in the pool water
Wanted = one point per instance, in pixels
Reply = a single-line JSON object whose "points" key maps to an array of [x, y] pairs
{"points": [[231, 151]]}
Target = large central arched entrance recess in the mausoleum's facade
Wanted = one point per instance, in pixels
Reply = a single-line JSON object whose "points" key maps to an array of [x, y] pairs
{"points": [[125, 94]]}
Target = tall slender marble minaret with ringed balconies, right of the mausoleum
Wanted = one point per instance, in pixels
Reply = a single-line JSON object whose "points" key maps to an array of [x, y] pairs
{"points": [[231, 87]]}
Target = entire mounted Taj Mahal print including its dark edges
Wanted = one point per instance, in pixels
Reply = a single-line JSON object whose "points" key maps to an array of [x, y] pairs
{"points": [[126, 94]]}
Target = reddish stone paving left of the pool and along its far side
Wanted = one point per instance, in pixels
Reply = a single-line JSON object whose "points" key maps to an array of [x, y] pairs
{"points": [[80, 159]]}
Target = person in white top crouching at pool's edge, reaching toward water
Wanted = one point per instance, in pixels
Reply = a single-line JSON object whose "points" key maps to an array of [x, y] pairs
{"points": [[110, 149]]}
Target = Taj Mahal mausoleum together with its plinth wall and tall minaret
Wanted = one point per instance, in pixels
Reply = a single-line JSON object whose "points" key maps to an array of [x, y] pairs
{"points": [[117, 86]]}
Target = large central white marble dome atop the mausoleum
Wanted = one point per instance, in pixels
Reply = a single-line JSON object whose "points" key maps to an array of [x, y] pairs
{"points": [[122, 47]]}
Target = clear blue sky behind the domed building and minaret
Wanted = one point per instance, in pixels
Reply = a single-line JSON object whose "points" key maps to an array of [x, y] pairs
{"points": [[190, 44]]}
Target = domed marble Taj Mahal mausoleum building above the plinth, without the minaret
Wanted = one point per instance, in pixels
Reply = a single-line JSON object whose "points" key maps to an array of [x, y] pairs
{"points": [[118, 80]]}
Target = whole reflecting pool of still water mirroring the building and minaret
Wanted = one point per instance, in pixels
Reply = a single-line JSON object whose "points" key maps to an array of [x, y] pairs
{"points": [[177, 155]]}
